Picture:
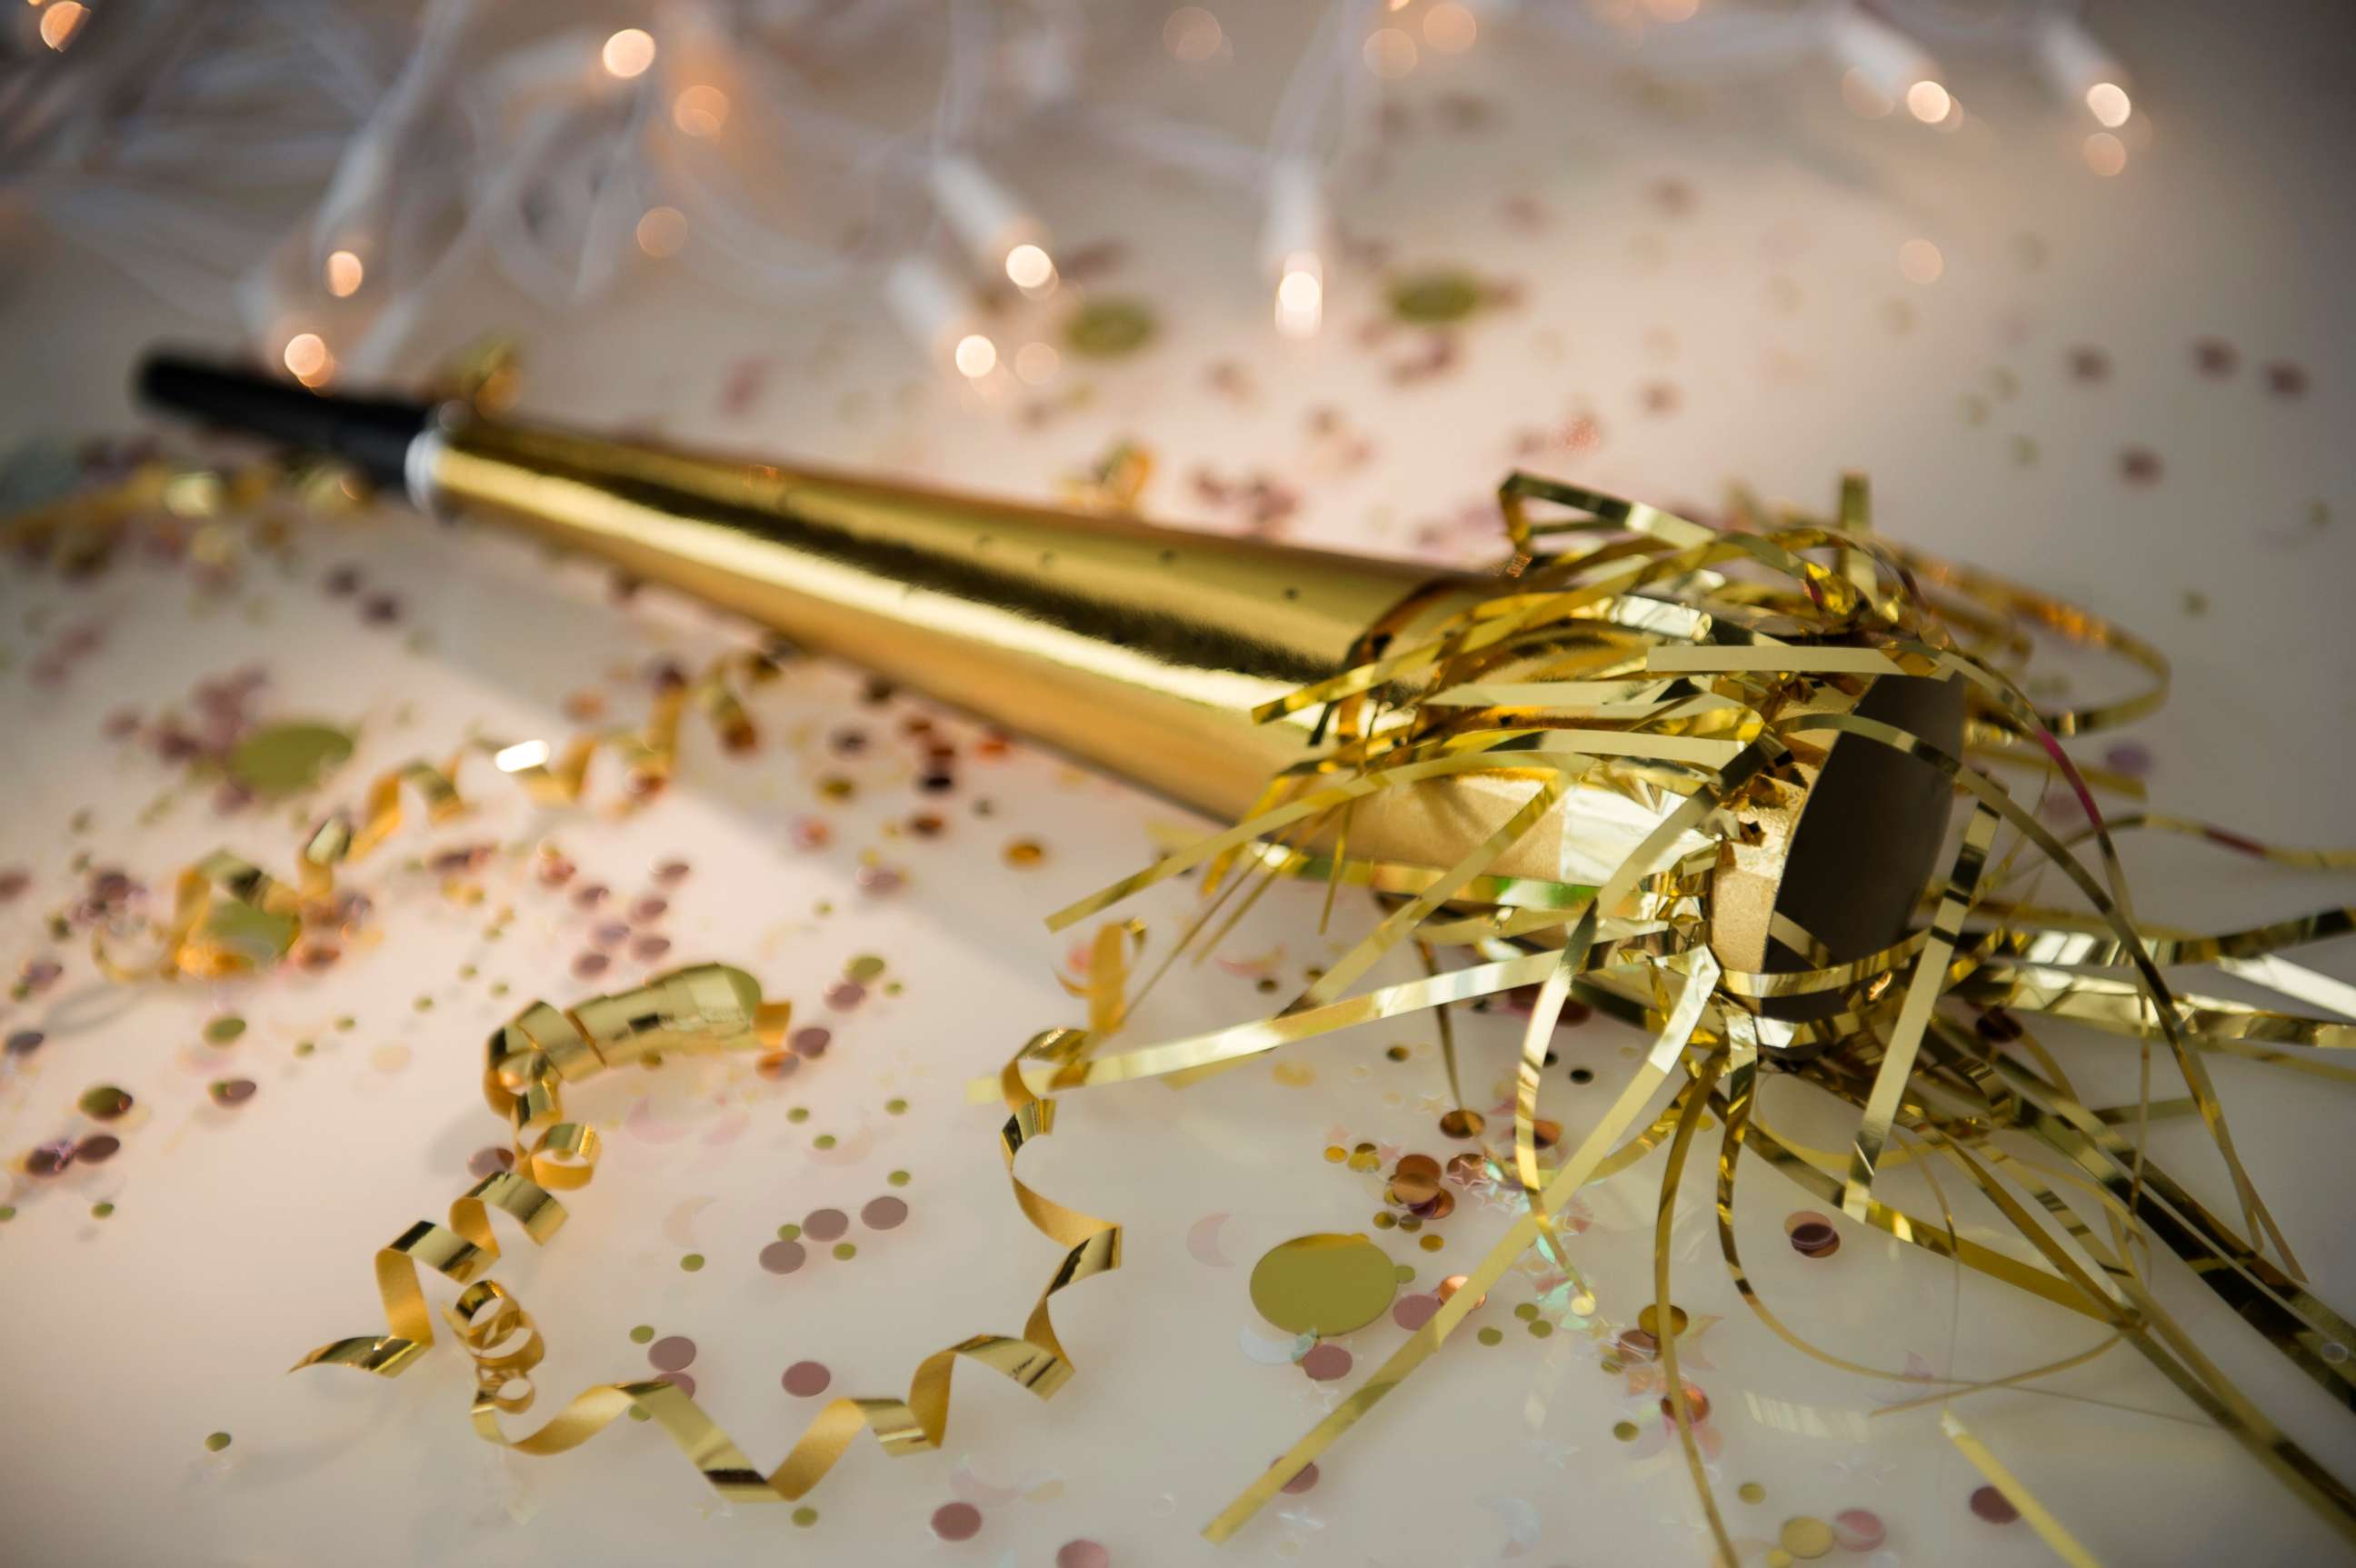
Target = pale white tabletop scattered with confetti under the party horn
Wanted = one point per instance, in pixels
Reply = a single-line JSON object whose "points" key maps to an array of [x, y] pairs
{"points": [[1735, 246]]}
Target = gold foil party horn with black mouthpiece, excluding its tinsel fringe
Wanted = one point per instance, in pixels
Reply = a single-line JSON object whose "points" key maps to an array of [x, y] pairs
{"points": [[1158, 656]]}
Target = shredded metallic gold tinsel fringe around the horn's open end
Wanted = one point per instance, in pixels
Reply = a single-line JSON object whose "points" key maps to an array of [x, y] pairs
{"points": [[1580, 670]]}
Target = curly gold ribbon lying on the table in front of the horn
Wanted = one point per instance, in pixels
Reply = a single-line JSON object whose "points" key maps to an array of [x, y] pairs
{"points": [[701, 1009]]}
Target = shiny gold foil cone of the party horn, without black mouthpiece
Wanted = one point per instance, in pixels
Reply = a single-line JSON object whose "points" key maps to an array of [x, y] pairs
{"points": [[1127, 646]]}
